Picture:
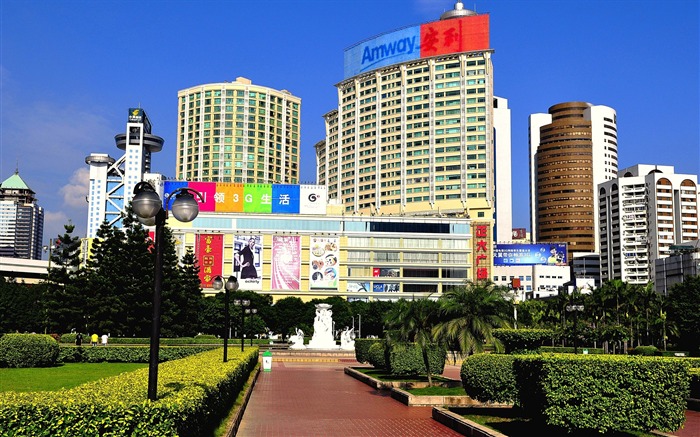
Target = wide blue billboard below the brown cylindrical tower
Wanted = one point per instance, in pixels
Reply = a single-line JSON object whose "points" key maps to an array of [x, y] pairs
{"points": [[553, 254]]}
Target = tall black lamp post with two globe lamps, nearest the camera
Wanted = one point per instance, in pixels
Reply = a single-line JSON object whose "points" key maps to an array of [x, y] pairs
{"points": [[148, 207]]}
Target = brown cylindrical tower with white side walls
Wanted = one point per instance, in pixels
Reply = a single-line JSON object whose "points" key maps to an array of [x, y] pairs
{"points": [[573, 148]]}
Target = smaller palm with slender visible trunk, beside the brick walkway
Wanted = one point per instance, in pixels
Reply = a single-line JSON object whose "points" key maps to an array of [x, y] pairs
{"points": [[413, 322]]}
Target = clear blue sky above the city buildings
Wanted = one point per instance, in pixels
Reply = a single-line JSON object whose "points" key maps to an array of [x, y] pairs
{"points": [[70, 70]]}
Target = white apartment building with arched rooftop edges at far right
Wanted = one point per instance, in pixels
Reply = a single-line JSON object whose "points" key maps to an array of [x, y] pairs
{"points": [[643, 213]]}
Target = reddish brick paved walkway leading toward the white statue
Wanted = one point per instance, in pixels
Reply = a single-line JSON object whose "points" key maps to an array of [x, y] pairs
{"points": [[318, 399]]}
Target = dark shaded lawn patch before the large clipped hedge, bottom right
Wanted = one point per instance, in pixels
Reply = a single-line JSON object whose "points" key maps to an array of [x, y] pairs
{"points": [[508, 422]]}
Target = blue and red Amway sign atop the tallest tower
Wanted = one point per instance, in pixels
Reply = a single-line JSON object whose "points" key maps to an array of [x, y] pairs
{"points": [[465, 34]]}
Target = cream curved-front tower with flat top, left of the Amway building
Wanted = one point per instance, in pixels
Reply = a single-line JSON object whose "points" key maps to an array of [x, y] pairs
{"points": [[238, 132]]}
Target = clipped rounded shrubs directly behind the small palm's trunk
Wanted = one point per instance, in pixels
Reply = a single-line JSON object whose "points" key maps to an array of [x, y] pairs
{"points": [[408, 359]]}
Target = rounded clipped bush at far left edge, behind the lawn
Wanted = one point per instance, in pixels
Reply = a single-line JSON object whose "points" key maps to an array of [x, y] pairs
{"points": [[28, 350]]}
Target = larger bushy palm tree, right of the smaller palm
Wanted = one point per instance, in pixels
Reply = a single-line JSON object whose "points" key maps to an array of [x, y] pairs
{"points": [[469, 314]]}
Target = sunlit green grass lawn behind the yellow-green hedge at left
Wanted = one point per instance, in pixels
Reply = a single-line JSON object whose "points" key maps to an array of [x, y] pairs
{"points": [[63, 376]]}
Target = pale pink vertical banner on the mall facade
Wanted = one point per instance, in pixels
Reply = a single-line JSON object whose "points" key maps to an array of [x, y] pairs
{"points": [[286, 262]]}
